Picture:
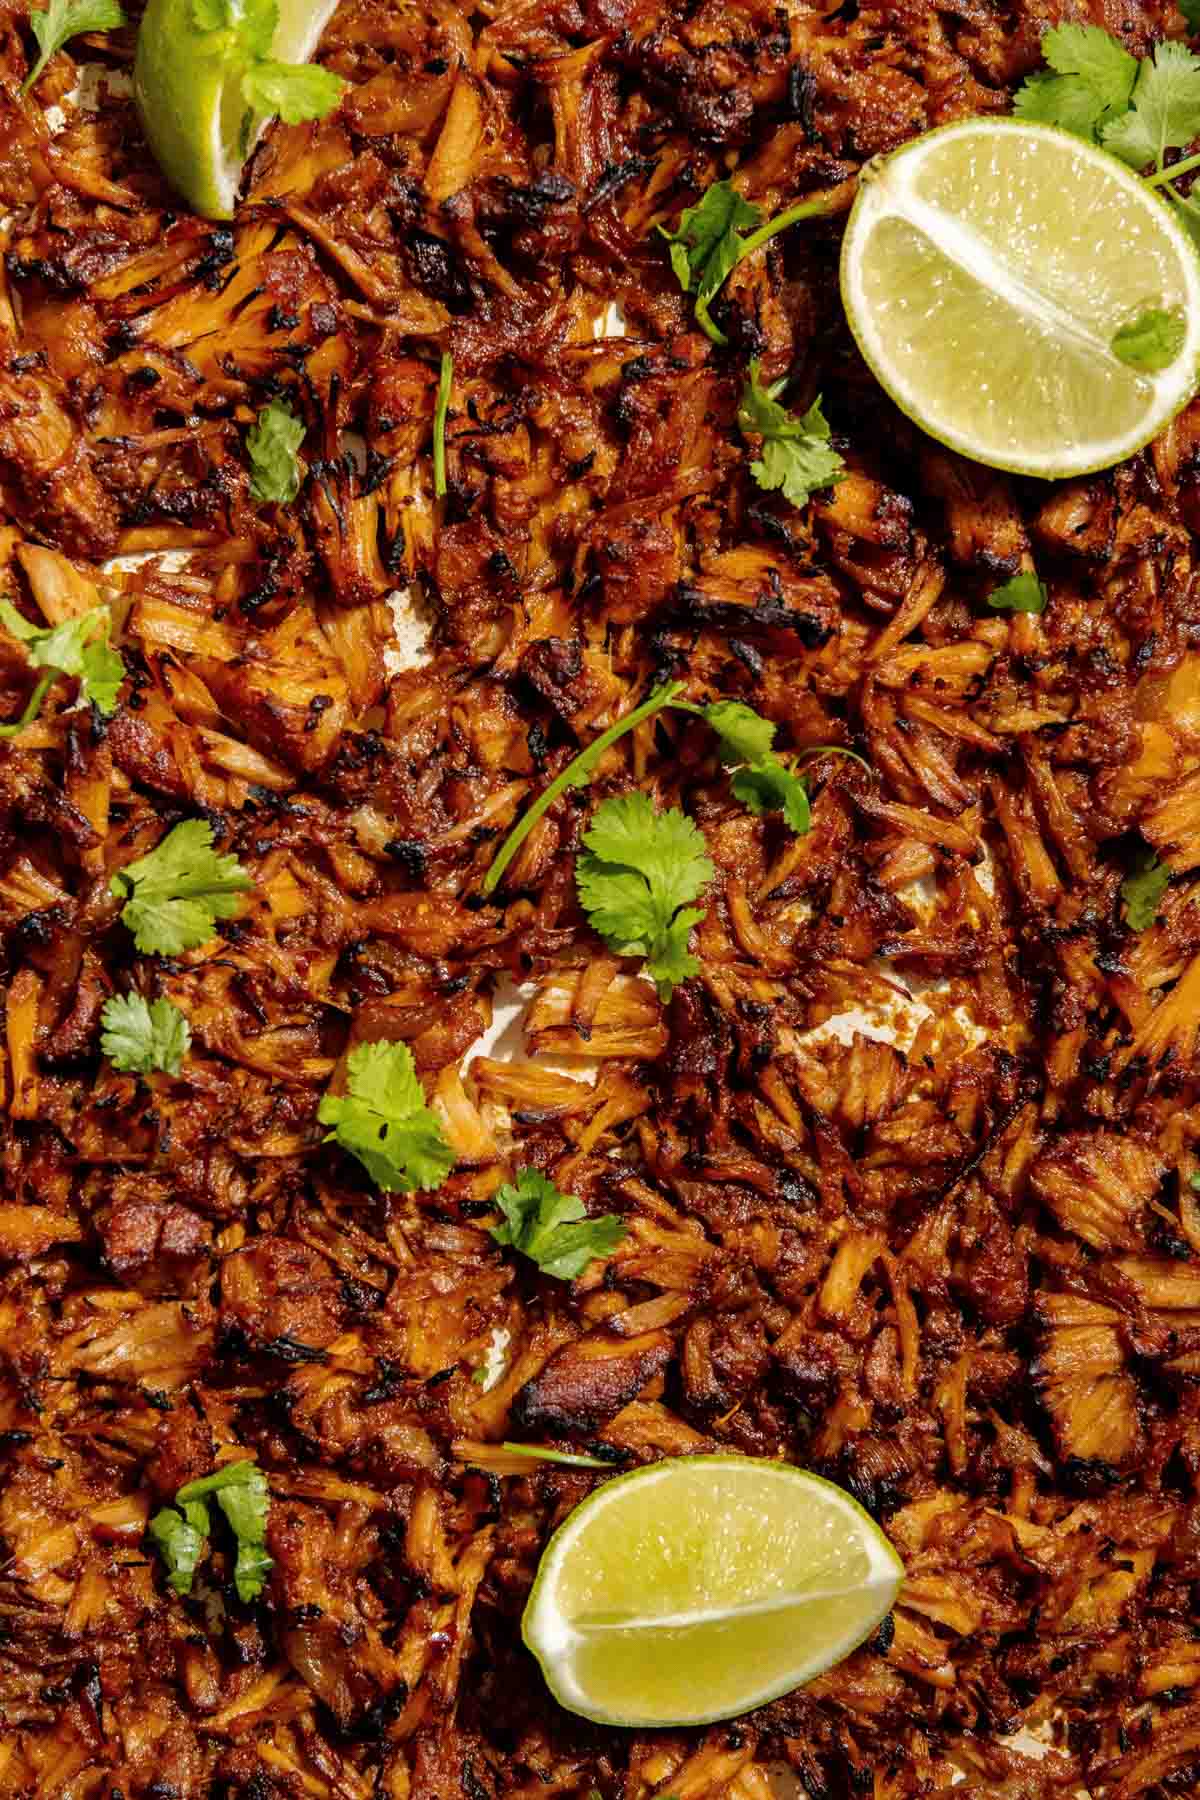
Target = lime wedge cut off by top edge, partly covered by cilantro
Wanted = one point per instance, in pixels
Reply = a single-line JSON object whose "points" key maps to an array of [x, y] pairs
{"points": [[190, 98]]}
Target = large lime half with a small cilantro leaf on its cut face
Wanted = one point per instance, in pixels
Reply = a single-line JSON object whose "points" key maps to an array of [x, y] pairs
{"points": [[987, 269]]}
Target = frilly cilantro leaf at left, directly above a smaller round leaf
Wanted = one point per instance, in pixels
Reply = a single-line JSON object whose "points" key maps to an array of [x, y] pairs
{"points": [[175, 895]]}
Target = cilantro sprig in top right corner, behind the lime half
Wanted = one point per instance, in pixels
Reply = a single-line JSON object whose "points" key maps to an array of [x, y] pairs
{"points": [[1138, 111]]}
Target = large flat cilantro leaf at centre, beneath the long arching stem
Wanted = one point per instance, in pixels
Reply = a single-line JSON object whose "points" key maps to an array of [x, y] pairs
{"points": [[638, 870]]}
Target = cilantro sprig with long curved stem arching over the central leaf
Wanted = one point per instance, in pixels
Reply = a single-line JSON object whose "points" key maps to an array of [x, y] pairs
{"points": [[767, 787]]}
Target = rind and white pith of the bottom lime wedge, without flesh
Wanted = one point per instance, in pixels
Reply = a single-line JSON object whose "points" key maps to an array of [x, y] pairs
{"points": [[557, 1641]]}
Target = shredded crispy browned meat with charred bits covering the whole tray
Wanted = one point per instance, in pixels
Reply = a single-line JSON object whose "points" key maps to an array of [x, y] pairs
{"points": [[958, 1273]]}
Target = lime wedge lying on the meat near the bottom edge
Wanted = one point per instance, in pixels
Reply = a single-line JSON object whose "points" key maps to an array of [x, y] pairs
{"points": [[699, 1588]]}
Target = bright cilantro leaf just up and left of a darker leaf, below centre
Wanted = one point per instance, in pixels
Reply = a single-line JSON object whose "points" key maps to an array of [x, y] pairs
{"points": [[386, 1124]]}
